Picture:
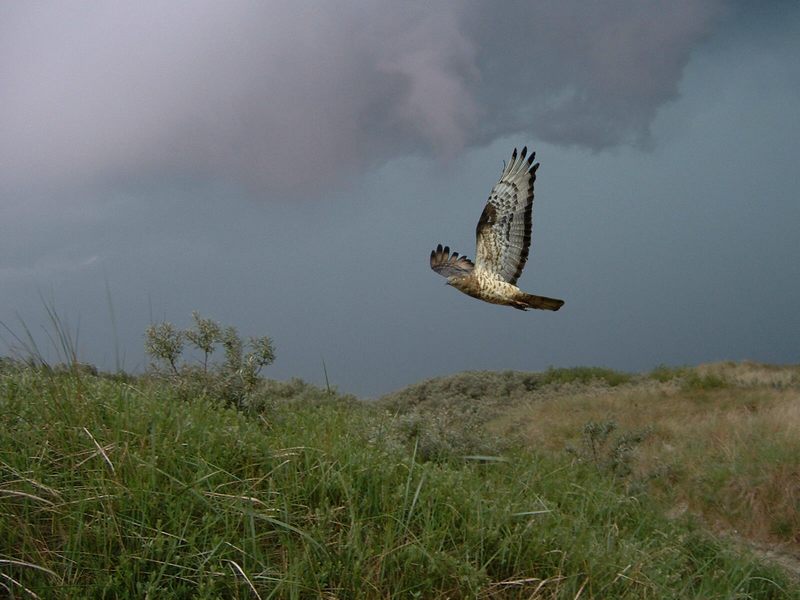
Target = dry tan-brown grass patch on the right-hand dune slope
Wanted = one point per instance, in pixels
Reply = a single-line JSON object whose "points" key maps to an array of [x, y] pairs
{"points": [[724, 441]]}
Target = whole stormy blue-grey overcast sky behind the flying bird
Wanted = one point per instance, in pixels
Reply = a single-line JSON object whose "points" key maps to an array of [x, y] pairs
{"points": [[286, 168]]}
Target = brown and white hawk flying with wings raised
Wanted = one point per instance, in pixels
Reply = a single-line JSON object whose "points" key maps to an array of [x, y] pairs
{"points": [[504, 237]]}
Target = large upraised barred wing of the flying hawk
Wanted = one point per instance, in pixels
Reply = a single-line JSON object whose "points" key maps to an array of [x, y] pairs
{"points": [[504, 229]]}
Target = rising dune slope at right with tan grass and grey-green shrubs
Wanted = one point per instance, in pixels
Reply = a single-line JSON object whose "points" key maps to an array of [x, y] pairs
{"points": [[721, 441]]}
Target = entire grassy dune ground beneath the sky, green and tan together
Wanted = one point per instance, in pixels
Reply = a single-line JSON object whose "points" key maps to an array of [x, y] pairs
{"points": [[455, 488]]}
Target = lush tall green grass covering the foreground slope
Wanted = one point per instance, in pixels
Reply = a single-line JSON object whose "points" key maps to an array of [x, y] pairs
{"points": [[116, 489]]}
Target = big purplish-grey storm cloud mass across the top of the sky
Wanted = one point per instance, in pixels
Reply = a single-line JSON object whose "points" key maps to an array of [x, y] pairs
{"points": [[285, 98]]}
